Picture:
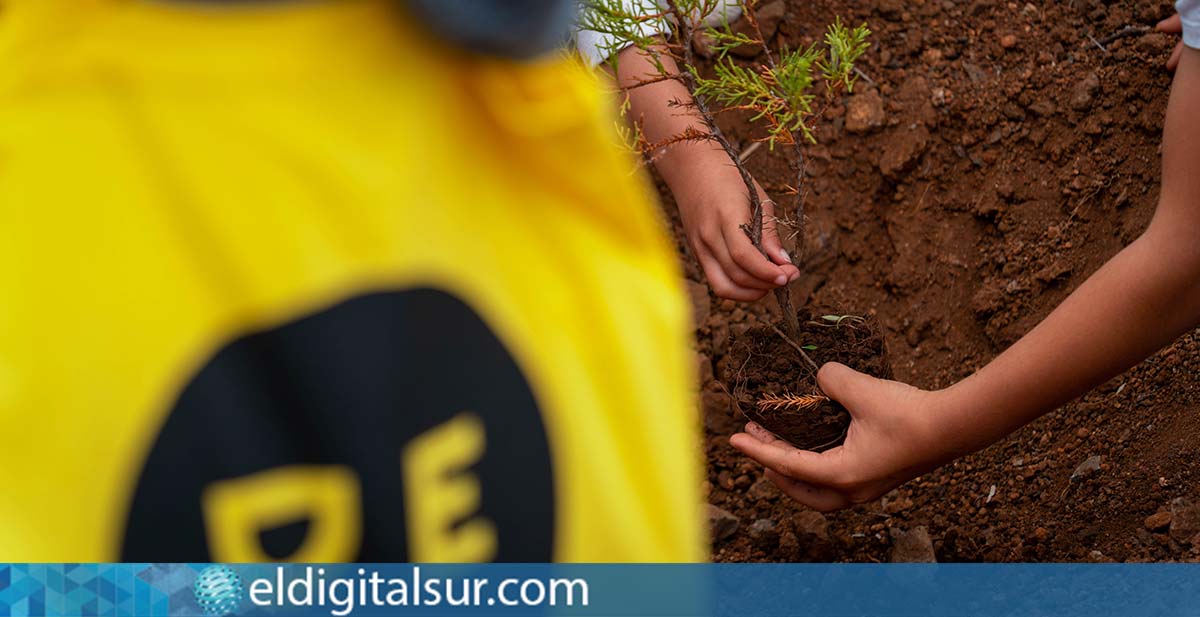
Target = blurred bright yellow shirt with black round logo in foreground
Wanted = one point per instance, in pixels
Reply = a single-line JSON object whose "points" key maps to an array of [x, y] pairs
{"points": [[298, 281]]}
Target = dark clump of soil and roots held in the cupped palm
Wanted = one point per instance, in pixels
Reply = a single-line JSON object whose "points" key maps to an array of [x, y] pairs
{"points": [[764, 368]]}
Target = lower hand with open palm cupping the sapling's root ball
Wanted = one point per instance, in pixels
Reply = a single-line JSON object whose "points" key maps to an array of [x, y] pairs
{"points": [[892, 440]]}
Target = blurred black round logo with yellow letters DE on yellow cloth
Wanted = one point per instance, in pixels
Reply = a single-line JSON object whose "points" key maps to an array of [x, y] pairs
{"points": [[393, 427]]}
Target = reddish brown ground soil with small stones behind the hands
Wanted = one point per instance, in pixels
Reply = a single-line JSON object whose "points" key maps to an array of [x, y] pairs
{"points": [[1013, 159]]}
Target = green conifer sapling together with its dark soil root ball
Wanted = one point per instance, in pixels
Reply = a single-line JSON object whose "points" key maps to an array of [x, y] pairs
{"points": [[782, 95]]}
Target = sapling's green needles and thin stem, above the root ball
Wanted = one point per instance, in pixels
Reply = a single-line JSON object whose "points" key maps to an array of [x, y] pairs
{"points": [[778, 93]]}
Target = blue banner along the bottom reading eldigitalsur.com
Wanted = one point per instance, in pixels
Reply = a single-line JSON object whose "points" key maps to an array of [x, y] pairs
{"points": [[668, 591]]}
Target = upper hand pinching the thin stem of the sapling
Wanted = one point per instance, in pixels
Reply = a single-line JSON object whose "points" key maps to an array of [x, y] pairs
{"points": [[715, 206]]}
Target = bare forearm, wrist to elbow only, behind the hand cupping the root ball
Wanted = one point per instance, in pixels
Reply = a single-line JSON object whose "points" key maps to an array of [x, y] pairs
{"points": [[1136, 304]]}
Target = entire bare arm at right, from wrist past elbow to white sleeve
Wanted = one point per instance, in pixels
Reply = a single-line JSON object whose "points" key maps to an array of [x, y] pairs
{"points": [[1141, 301]]}
